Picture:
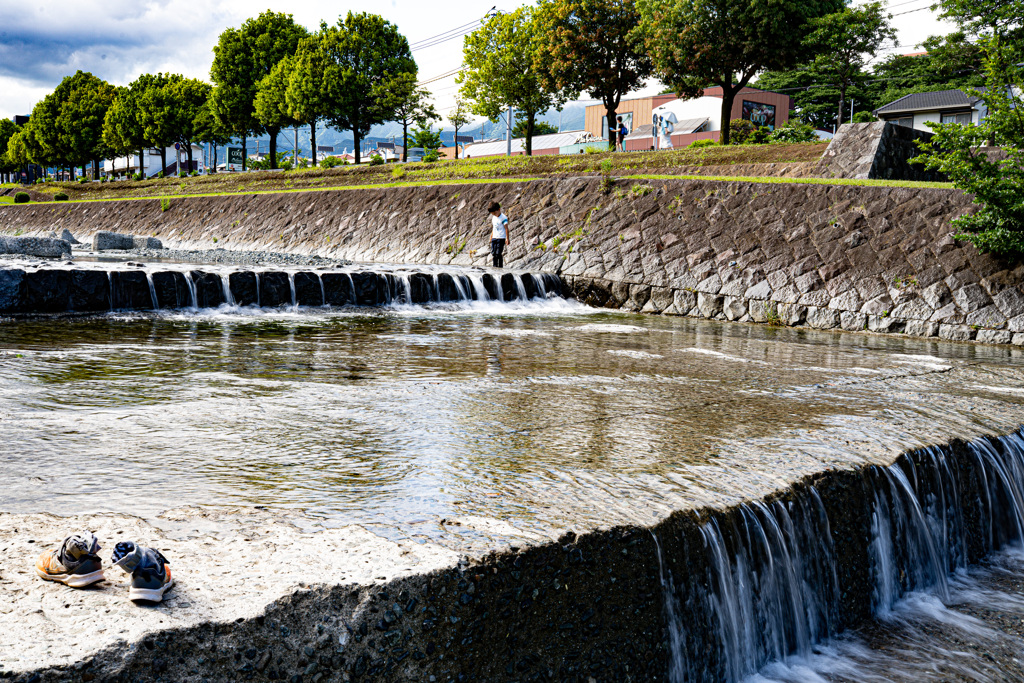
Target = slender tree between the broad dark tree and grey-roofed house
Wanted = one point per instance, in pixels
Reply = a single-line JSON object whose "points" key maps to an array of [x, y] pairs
{"points": [[844, 41]]}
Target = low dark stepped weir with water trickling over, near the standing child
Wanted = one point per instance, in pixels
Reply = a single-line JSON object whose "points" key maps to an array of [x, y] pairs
{"points": [[30, 291]]}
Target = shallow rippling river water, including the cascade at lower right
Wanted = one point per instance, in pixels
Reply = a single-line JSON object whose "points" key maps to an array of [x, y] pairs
{"points": [[483, 421]]}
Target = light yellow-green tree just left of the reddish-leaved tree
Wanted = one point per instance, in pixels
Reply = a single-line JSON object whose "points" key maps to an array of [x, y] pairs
{"points": [[502, 72]]}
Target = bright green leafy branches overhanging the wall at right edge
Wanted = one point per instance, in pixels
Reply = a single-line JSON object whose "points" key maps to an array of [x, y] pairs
{"points": [[998, 186]]}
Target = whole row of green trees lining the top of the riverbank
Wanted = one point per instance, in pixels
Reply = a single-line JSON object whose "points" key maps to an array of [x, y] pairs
{"points": [[271, 73]]}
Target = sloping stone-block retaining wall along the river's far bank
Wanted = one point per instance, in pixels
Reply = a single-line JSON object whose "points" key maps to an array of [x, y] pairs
{"points": [[881, 260]]}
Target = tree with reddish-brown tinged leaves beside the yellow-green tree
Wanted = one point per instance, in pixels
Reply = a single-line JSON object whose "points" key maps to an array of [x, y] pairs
{"points": [[592, 47]]}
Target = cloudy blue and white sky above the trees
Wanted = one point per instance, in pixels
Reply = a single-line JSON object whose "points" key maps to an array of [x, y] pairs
{"points": [[44, 41]]}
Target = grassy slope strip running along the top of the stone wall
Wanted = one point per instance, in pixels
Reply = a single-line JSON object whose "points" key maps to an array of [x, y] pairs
{"points": [[675, 164]]}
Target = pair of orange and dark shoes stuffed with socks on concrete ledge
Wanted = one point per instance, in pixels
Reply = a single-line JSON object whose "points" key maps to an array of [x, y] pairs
{"points": [[77, 564]]}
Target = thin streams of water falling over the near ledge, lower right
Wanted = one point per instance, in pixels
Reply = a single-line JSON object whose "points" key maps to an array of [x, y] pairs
{"points": [[767, 583]]}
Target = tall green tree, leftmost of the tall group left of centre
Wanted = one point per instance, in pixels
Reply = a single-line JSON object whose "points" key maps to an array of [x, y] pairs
{"points": [[242, 59]]}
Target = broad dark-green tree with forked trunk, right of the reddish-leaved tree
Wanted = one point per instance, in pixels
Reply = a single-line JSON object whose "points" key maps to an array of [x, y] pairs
{"points": [[727, 42]]}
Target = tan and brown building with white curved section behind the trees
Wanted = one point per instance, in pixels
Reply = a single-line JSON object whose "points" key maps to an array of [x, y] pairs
{"points": [[699, 118]]}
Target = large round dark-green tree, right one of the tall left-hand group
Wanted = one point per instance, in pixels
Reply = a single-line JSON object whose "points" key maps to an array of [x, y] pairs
{"points": [[369, 57]]}
